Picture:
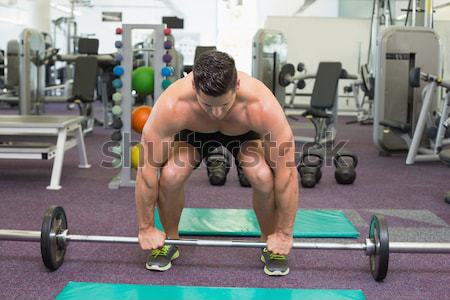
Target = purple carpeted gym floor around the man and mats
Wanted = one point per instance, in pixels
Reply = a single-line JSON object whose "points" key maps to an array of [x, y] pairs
{"points": [[411, 196]]}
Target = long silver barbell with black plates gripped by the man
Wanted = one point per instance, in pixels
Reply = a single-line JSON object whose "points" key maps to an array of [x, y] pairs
{"points": [[54, 238]]}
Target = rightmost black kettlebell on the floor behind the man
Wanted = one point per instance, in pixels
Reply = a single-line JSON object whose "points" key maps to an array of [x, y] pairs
{"points": [[345, 163]]}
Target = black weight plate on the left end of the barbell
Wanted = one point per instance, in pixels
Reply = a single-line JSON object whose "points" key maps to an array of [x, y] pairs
{"points": [[54, 222]]}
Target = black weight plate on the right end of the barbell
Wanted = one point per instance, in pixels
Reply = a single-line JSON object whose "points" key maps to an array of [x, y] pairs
{"points": [[379, 260]]}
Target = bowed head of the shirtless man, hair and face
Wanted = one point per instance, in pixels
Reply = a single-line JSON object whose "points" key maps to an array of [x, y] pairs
{"points": [[215, 82]]}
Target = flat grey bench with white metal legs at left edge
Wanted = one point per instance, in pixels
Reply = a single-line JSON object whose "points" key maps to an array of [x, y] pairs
{"points": [[66, 128]]}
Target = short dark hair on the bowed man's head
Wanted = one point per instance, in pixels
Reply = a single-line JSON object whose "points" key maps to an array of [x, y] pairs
{"points": [[214, 73]]}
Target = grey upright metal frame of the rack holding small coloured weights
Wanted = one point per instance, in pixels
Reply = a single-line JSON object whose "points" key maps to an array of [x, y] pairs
{"points": [[124, 177]]}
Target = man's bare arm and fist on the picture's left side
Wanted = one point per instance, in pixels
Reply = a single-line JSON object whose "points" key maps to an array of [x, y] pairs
{"points": [[156, 141]]}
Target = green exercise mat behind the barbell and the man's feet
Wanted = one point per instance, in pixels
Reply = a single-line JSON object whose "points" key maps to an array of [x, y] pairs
{"points": [[243, 223]]}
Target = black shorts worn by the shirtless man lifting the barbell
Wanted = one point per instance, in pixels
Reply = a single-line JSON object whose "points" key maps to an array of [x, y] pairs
{"points": [[207, 142]]}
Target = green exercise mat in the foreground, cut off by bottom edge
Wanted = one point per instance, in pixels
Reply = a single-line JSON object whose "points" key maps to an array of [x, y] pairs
{"points": [[108, 291]]}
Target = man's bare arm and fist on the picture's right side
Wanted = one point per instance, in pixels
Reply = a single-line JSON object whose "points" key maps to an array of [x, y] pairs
{"points": [[279, 148]]}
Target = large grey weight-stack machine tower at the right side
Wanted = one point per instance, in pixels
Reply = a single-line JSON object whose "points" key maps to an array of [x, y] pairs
{"points": [[399, 50]]}
